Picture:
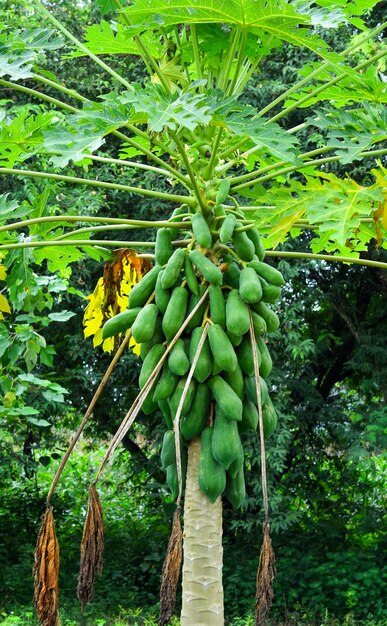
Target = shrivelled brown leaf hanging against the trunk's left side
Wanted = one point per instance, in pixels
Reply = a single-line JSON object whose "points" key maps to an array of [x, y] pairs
{"points": [[171, 571]]}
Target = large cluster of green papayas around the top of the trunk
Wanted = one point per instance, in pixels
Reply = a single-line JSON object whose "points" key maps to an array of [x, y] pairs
{"points": [[221, 402]]}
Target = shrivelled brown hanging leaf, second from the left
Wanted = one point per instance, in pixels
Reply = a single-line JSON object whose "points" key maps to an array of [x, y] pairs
{"points": [[91, 548]]}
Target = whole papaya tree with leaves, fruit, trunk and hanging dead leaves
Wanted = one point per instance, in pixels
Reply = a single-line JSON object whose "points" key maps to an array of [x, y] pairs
{"points": [[230, 182]]}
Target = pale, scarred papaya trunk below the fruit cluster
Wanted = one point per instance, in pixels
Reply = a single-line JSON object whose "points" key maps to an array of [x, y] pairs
{"points": [[203, 552]]}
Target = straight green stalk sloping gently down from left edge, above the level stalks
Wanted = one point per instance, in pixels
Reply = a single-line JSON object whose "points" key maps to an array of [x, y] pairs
{"points": [[99, 183]]}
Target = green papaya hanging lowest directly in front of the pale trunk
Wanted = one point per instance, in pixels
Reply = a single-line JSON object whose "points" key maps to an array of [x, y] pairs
{"points": [[212, 476]]}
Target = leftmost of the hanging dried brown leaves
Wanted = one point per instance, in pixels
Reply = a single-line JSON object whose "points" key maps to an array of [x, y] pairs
{"points": [[45, 571]]}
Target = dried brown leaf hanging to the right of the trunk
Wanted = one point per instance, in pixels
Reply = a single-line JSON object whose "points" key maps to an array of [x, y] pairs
{"points": [[265, 578]]}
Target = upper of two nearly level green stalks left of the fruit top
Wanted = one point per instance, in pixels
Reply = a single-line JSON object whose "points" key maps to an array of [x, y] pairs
{"points": [[86, 218]]}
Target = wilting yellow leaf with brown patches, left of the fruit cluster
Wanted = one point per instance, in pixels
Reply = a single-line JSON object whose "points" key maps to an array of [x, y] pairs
{"points": [[110, 296]]}
